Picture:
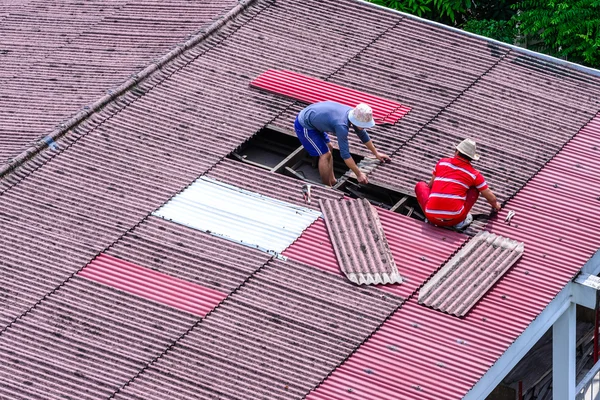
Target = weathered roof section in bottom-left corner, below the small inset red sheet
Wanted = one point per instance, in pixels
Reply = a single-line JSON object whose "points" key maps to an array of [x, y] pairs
{"points": [[84, 341]]}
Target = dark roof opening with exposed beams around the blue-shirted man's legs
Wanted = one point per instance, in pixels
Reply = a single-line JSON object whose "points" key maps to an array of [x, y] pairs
{"points": [[280, 151]]}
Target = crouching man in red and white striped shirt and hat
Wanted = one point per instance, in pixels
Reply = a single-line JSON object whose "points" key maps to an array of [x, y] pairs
{"points": [[454, 188]]}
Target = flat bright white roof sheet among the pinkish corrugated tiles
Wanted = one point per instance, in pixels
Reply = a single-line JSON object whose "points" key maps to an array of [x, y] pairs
{"points": [[238, 215]]}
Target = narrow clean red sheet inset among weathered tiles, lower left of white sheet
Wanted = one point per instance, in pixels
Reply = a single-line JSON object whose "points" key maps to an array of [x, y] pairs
{"points": [[152, 285]]}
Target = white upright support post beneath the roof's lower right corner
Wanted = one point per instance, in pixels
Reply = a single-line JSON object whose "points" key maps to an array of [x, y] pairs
{"points": [[563, 355]]}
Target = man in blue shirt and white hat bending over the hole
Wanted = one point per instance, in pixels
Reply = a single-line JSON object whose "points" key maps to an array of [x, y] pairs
{"points": [[313, 124]]}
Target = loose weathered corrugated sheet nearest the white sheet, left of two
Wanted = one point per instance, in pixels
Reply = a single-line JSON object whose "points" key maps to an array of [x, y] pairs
{"points": [[359, 242]]}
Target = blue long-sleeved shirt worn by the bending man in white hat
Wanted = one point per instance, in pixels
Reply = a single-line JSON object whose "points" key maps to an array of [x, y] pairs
{"points": [[331, 117]]}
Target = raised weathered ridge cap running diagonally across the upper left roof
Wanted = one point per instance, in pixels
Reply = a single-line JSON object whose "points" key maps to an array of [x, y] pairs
{"points": [[123, 88]]}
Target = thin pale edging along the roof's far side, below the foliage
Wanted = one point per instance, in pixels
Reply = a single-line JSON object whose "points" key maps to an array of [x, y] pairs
{"points": [[545, 57]]}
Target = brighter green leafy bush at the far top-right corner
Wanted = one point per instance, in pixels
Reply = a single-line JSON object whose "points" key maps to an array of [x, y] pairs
{"points": [[569, 28]]}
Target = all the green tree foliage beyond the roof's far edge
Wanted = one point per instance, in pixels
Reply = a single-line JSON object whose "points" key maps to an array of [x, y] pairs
{"points": [[568, 29]]}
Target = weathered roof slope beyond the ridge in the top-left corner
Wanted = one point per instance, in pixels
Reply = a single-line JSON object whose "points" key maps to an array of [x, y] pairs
{"points": [[77, 52]]}
